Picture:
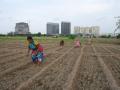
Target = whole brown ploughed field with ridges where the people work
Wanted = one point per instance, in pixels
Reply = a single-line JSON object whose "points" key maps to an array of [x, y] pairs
{"points": [[93, 66]]}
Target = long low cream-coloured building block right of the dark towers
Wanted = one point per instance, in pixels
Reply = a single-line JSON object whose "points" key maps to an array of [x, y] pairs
{"points": [[87, 31]]}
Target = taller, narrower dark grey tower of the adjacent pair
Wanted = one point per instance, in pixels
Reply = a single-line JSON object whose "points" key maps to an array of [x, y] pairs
{"points": [[65, 28]]}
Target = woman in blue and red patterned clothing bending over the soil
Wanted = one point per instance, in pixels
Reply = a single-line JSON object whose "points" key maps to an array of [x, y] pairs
{"points": [[36, 50]]}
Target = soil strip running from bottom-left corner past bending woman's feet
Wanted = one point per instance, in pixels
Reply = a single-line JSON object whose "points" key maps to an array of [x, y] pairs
{"points": [[12, 79]]}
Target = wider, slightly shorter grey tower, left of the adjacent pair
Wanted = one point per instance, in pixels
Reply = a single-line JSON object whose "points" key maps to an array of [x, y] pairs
{"points": [[52, 28]]}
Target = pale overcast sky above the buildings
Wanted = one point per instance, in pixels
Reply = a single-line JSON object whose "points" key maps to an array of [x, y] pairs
{"points": [[79, 12]]}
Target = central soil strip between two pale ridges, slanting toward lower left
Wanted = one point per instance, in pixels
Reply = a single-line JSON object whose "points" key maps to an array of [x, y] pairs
{"points": [[55, 76]]}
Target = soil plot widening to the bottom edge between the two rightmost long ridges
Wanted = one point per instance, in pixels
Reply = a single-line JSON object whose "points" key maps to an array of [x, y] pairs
{"points": [[90, 75]]}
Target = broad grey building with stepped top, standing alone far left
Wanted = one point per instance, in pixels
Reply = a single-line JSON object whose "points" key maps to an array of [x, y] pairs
{"points": [[21, 28]]}
